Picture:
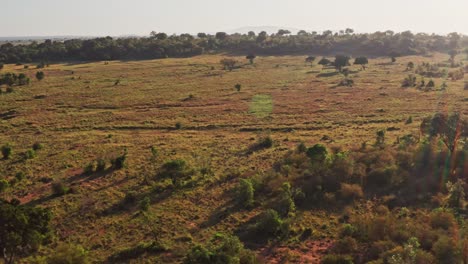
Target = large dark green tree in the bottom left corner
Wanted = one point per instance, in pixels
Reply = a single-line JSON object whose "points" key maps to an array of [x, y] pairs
{"points": [[22, 229]]}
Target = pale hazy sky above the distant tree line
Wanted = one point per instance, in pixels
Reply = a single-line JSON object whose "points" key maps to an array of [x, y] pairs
{"points": [[121, 17]]}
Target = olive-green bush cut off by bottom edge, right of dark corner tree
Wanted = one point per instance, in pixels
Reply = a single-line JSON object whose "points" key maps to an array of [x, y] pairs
{"points": [[68, 254]]}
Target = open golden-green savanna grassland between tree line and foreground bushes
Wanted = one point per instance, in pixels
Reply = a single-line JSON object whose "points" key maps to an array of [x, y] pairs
{"points": [[189, 109]]}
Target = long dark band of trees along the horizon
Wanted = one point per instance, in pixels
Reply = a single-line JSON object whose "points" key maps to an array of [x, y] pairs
{"points": [[161, 45]]}
